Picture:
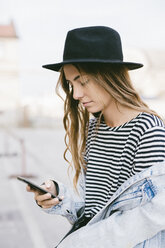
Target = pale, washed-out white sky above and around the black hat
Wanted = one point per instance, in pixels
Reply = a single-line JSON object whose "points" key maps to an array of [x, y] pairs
{"points": [[42, 25]]}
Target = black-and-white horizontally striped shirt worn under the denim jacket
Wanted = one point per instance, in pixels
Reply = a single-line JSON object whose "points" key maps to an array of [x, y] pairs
{"points": [[113, 154]]}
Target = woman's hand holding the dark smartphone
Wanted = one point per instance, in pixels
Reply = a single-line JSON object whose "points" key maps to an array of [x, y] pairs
{"points": [[45, 200]]}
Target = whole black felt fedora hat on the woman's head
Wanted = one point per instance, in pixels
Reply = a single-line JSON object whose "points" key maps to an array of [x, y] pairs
{"points": [[95, 44]]}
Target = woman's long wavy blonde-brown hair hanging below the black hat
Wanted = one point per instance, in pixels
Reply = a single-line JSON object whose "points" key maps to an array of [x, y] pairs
{"points": [[115, 80]]}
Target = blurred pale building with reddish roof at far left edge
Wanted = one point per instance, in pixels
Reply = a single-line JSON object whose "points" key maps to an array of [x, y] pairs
{"points": [[9, 75]]}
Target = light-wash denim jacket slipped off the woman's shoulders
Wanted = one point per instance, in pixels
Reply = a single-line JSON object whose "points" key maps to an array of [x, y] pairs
{"points": [[134, 217]]}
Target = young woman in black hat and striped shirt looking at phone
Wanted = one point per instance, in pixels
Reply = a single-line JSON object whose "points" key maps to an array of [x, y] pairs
{"points": [[117, 145]]}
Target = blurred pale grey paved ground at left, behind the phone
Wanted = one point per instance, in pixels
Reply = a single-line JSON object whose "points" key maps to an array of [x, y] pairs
{"points": [[22, 223]]}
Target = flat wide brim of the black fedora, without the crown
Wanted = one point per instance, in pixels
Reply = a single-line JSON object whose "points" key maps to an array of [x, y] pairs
{"points": [[57, 66]]}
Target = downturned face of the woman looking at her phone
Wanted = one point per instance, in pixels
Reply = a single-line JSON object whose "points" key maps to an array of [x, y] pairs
{"points": [[90, 94]]}
